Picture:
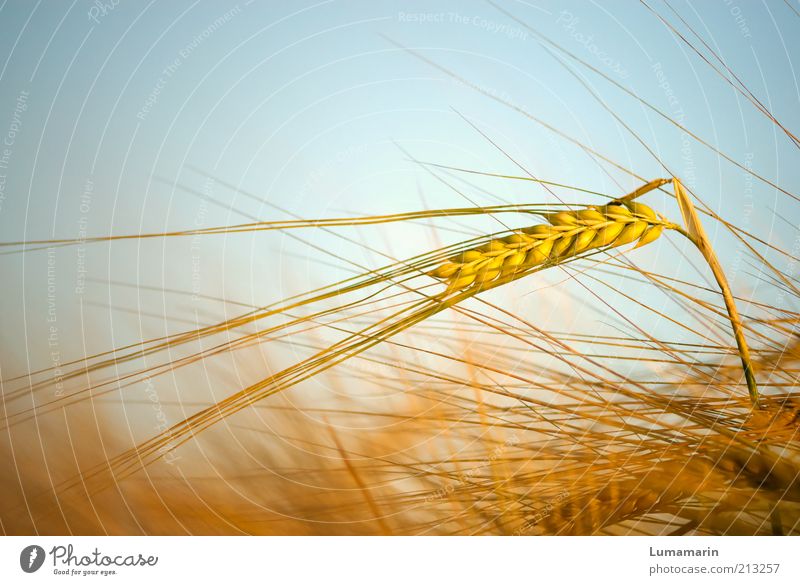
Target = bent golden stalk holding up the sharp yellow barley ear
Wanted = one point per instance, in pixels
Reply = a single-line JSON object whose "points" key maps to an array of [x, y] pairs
{"points": [[696, 234]]}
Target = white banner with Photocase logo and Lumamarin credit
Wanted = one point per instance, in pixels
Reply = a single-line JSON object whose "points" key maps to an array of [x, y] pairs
{"points": [[354, 560]]}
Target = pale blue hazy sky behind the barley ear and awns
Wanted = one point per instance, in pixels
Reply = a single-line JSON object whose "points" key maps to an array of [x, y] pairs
{"points": [[114, 114]]}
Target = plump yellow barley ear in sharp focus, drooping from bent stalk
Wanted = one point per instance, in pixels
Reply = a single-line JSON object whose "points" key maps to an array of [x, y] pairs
{"points": [[568, 234]]}
